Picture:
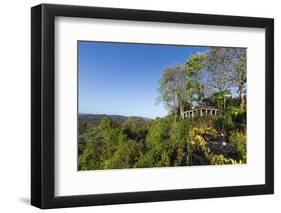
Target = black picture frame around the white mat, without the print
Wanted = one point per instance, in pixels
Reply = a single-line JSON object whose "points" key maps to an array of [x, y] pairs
{"points": [[43, 114]]}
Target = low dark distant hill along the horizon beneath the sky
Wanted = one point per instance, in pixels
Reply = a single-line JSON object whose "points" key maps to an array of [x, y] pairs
{"points": [[98, 117]]}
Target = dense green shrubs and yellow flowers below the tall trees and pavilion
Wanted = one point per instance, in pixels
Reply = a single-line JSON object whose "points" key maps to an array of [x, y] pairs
{"points": [[140, 143]]}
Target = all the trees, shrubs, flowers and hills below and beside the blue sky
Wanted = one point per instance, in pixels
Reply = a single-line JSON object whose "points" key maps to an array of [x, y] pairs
{"points": [[216, 78]]}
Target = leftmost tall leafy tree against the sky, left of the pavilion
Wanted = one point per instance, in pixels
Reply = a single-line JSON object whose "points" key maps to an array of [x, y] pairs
{"points": [[181, 85]]}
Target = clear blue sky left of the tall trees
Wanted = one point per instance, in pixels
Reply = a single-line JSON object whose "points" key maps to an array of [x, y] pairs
{"points": [[122, 78]]}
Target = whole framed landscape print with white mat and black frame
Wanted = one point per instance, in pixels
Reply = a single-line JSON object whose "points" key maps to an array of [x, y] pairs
{"points": [[139, 106]]}
